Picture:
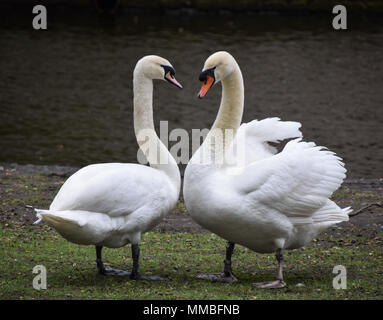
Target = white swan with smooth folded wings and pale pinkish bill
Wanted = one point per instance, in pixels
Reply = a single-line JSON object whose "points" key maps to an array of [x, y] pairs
{"points": [[113, 204]]}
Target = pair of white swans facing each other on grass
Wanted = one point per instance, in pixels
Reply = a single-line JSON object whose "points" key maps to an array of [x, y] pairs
{"points": [[264, 200]]}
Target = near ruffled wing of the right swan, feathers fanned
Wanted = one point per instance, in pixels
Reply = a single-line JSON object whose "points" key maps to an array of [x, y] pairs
{"points": [[296, 182]]}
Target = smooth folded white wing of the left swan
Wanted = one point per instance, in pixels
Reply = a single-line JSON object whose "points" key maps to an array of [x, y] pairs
{"points": [[114, 189]]}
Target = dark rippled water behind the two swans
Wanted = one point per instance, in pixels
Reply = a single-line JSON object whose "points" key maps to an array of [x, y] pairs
{"points": [[66, 93]]}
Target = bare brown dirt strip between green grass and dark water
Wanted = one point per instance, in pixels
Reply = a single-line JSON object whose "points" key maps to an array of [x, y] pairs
{"points": [[22, 186]]}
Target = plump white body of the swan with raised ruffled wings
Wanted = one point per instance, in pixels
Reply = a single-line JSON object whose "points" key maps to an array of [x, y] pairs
{"points": [[278, 201]]}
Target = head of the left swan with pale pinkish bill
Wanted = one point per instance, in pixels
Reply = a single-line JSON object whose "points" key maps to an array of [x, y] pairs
{"points": [[155, 67]]}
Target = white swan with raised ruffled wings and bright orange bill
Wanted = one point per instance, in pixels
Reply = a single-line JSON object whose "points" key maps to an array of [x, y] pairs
{"points": [[266, 201]]}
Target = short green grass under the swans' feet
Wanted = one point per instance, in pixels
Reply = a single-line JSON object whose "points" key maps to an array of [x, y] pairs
{"points": [[71, 270]]}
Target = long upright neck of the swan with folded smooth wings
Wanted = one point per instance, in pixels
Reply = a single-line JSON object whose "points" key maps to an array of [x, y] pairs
{"points": [[150, 144]]}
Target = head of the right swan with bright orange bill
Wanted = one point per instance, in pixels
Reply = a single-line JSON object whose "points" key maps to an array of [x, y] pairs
{"points": [[216, 68]]}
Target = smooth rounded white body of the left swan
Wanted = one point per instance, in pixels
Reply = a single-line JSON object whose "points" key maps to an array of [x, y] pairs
{"points": [[111, 204]]}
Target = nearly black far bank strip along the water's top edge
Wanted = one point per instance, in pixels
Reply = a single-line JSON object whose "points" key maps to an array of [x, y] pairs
{"points": [[203, 7]]}
